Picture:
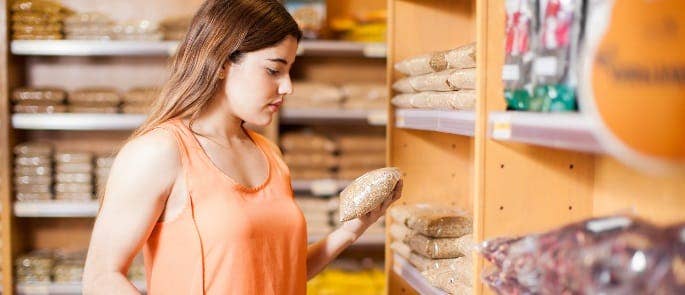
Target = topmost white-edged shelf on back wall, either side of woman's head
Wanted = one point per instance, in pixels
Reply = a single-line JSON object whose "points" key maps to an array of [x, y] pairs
{"points": [[167, 48]]}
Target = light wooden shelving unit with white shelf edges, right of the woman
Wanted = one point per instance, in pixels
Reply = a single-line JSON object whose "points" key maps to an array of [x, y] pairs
{"points": [[517, 173]]}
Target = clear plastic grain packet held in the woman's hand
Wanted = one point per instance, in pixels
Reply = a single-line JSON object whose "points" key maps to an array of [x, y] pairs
{"points": [[368, 192]]}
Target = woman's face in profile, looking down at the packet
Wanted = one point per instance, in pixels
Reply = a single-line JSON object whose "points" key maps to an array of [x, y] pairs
{"points": [[256, 85]]}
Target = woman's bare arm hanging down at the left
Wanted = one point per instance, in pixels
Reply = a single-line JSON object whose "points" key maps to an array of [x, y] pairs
{"points": [[139, 184]]}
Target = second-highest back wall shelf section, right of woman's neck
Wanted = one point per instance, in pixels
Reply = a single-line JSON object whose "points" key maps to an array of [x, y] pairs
{"points": [[296, 116]]}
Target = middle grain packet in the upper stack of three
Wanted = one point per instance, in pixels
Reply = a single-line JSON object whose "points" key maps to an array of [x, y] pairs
{"points": [[448, 80]]}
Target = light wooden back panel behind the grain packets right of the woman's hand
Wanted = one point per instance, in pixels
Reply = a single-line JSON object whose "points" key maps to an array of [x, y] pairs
{"points": [[437, 167]]}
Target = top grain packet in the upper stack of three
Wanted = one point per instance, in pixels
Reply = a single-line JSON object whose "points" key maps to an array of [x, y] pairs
{"points": [[459, 58]]}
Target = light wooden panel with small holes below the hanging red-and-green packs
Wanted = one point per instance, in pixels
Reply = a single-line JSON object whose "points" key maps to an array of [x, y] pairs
{"points": [[526, 188]]}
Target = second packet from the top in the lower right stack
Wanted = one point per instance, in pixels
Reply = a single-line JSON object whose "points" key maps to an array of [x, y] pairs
{"points": [[439, 248]]}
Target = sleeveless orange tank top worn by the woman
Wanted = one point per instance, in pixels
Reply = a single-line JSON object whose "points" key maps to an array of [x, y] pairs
{"points": [[229, 239]]}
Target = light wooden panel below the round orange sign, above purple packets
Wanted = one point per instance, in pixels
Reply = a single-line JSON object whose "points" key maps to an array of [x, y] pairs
{"points": [[620, 189]]}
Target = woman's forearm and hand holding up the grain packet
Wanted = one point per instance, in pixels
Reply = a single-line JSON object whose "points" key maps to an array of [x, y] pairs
{"points": [[321, 253]]}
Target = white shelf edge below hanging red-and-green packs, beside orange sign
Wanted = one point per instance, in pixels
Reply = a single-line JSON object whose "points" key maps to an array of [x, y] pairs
{"points": [[570, 131]]}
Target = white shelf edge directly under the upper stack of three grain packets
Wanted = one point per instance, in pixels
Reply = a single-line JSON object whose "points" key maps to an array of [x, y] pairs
{"points": [[453, 122]]}
